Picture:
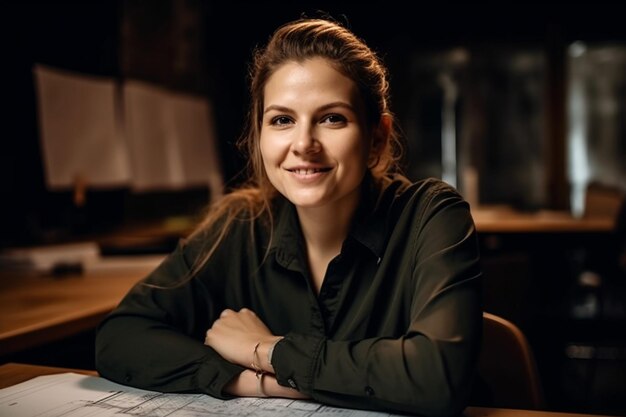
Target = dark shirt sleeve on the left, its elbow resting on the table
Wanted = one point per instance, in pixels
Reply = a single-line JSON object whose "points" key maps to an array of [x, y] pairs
{"points": [[154, 338]]}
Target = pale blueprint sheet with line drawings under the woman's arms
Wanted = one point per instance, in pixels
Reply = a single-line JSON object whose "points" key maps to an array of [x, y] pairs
{"points": [[73, 395]]}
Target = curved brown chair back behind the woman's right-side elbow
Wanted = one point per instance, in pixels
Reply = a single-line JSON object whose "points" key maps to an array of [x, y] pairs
{"points": [[507, 368]]}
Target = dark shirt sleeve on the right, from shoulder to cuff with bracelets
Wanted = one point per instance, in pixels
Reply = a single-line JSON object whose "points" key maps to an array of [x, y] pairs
{"points": [[423, 315]]}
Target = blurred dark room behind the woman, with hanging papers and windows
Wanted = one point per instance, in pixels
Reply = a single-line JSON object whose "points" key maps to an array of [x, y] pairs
{"points": [[521, 106]]}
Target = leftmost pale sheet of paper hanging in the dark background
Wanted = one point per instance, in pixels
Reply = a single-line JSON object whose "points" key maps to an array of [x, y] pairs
{"points": [[80, 132]]}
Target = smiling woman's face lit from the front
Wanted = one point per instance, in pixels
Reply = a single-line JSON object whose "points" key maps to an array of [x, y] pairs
{"points": [[314, 139]]}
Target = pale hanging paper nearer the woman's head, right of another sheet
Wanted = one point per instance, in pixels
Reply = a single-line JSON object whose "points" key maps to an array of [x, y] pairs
{"points": [[171, 139]]}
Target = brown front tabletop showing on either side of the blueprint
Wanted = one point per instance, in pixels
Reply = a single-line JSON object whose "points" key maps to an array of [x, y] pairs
{"points": [[13, 373]]}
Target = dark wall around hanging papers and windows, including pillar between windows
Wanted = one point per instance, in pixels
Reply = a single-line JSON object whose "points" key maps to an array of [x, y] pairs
{"points": [[89, 37]]}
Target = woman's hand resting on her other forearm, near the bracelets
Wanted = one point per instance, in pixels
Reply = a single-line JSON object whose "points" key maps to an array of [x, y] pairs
{"points": [[235, 334]]}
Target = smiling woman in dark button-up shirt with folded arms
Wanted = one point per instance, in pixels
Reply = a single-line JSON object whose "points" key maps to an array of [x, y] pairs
{"points": [[329, 276]]}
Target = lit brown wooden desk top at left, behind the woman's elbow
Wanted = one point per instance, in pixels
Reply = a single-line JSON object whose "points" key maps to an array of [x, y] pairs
{"points": [[36, 309]]}
